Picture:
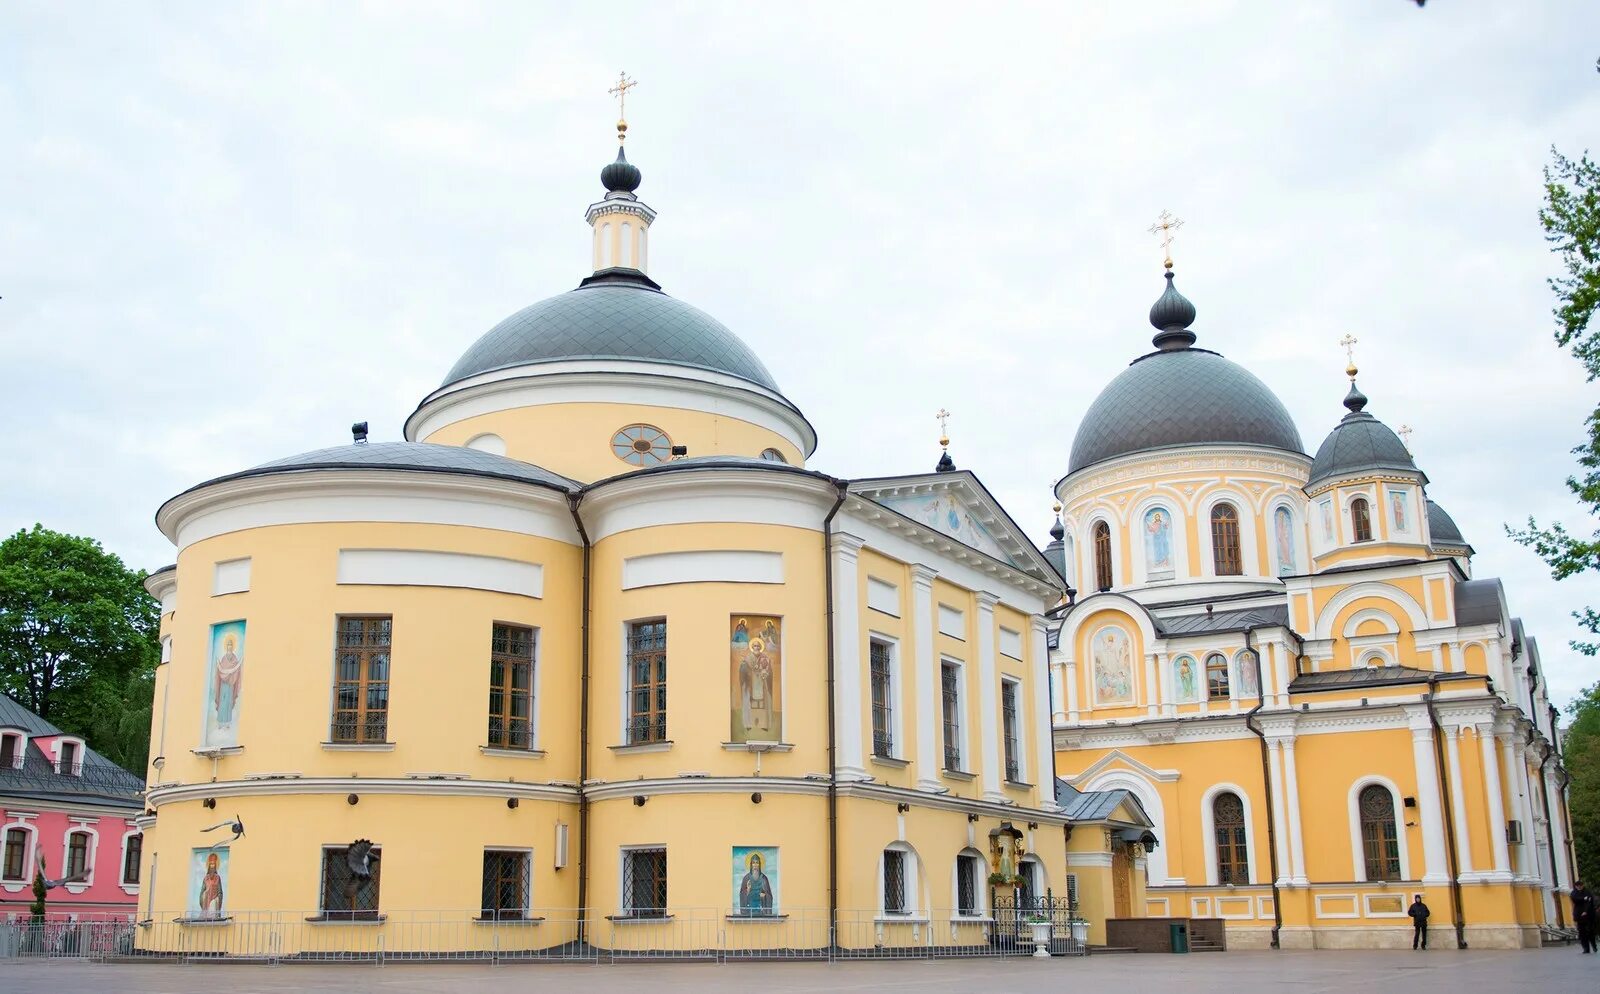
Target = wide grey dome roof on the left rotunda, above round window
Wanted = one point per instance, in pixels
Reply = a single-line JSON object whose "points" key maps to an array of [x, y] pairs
{"points": [[618, 316]]}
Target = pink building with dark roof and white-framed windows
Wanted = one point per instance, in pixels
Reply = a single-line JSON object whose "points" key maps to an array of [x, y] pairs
{"points": [[74, 808]]}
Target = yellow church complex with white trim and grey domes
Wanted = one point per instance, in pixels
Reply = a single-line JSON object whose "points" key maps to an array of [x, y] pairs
{"points": [[596, 660]]}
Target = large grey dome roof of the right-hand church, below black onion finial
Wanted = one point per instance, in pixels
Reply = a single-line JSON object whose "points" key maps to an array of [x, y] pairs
{"points": [[1182, 398]]}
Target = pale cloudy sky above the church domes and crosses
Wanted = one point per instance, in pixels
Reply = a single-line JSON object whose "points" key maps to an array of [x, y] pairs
{"points": [[230, 231]]}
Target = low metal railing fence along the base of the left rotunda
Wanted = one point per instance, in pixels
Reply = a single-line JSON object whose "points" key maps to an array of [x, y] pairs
{"points": [[559, 936]]}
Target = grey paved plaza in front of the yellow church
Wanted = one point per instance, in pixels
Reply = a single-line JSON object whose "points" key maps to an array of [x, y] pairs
{"points": [[1454, 972]]}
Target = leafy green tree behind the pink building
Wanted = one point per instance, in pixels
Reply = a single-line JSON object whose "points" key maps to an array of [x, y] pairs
{"points": [[79, 641]]}
